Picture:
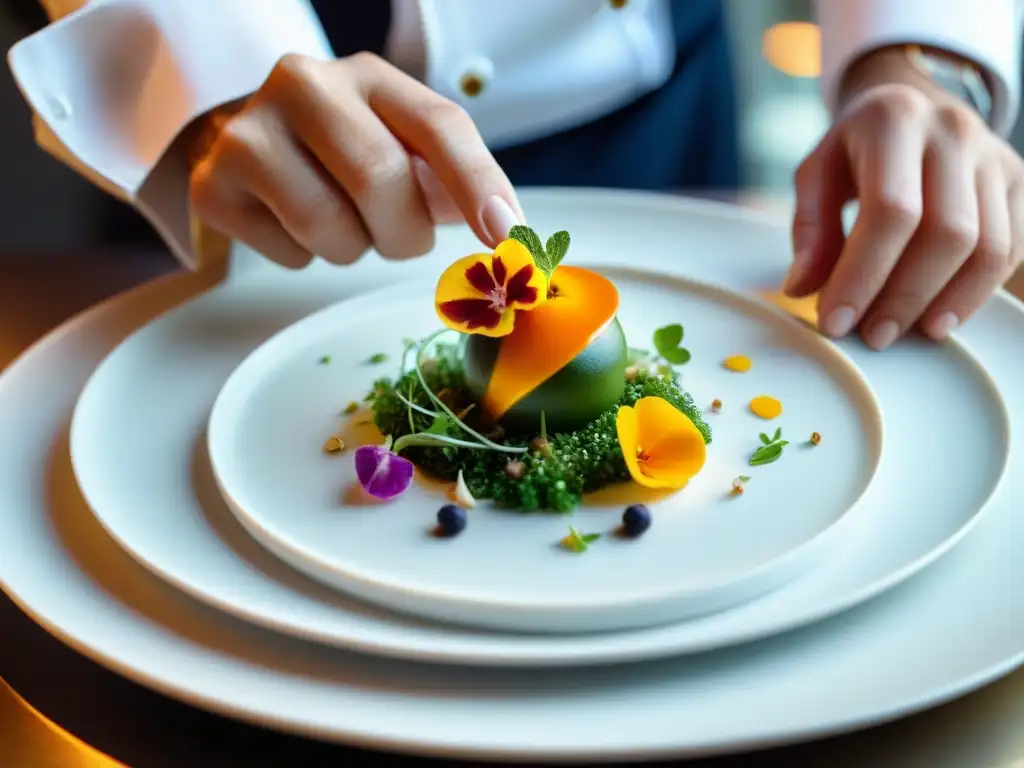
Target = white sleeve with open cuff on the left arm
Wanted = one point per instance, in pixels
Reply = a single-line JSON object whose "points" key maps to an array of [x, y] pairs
{"points": [[114, 83]]}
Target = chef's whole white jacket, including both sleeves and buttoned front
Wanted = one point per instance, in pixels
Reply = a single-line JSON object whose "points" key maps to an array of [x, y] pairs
{"points": [[113, 82]]}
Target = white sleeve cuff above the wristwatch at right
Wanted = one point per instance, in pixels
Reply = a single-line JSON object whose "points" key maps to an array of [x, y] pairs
{"points": [[987, 32]]}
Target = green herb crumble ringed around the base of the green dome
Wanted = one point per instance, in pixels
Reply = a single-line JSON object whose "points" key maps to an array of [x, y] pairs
{"points": [[550, 477]]}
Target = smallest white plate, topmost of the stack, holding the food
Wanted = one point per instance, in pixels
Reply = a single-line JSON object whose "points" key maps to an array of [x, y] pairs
{"points": [[507, 571]]}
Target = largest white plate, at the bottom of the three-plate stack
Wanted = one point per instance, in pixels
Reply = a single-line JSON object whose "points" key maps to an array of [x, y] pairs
{"points": [[952, 630]]}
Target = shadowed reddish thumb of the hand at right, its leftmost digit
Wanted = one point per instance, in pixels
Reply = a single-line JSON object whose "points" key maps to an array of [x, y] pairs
{"points": [[824, 186]]}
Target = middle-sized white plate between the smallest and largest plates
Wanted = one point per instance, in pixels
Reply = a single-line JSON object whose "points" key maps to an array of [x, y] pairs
{"points": [[164, 379]]}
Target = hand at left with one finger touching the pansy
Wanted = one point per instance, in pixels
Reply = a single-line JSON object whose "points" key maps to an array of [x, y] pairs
{"points": [[330, 158]]}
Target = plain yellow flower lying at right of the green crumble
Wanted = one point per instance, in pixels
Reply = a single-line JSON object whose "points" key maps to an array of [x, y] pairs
{"points": [[662, 447]]}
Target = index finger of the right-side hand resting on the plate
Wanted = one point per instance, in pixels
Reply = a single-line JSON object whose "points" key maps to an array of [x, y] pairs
{"points": [[886, 164]]}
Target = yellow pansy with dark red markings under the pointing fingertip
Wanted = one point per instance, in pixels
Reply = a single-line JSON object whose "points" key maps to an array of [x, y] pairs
{"points": [[480, 294]]}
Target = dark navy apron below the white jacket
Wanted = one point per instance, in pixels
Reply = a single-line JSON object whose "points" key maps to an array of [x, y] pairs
{"points": [[682, 137]]}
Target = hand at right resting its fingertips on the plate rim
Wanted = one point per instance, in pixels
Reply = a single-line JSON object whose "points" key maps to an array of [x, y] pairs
{"points": [[942, 209]]}
